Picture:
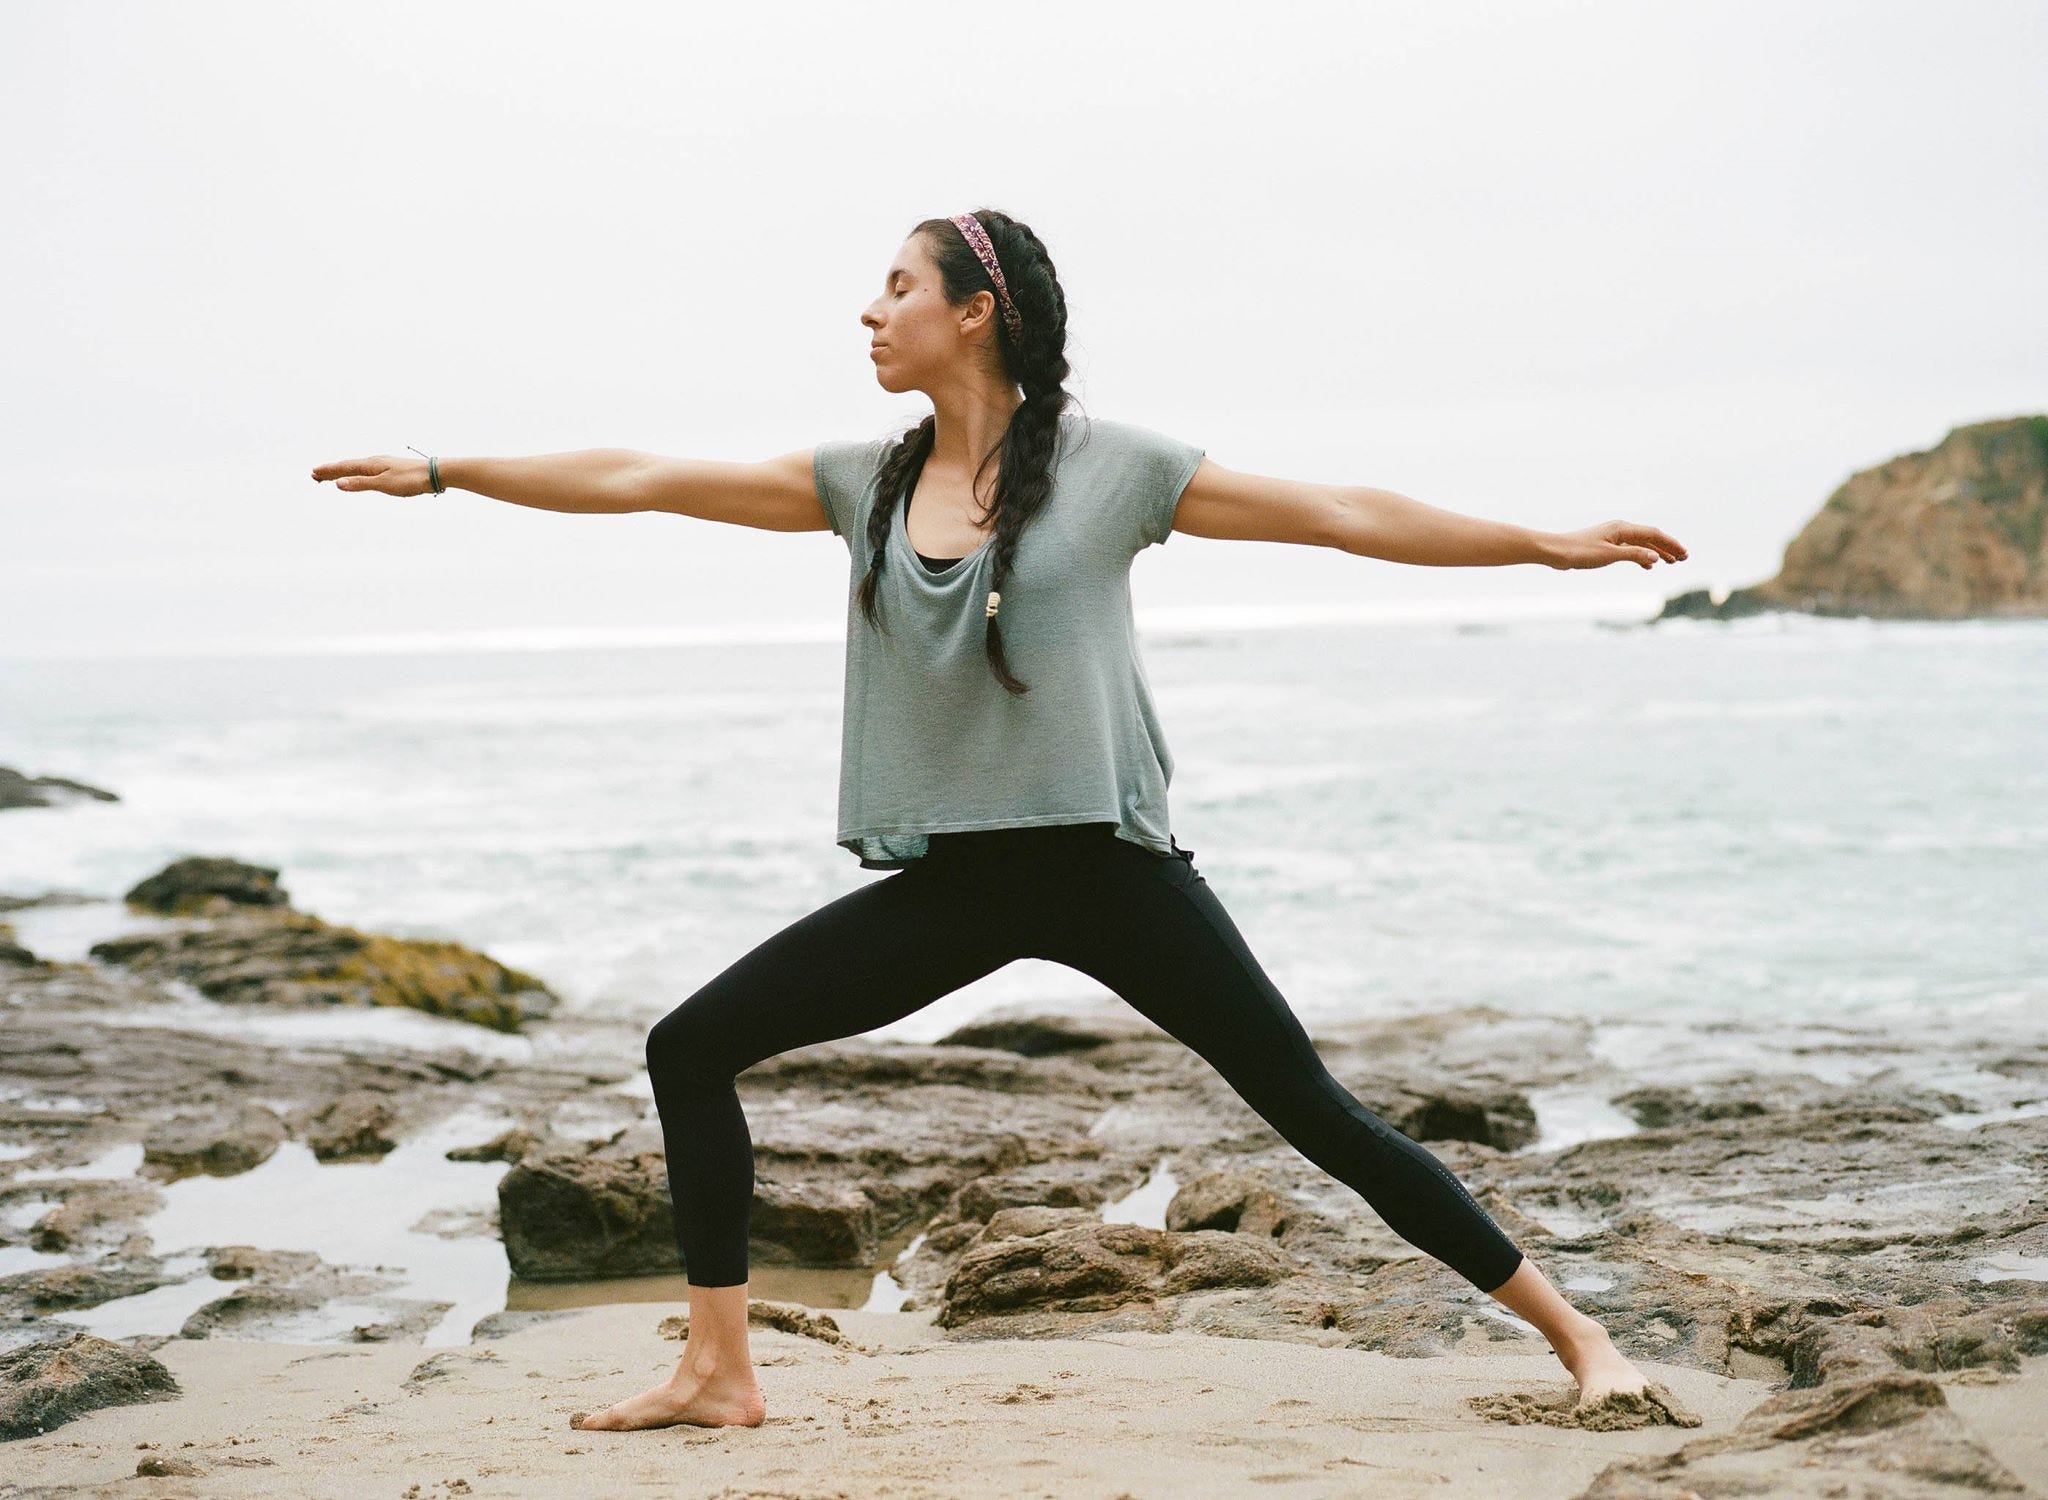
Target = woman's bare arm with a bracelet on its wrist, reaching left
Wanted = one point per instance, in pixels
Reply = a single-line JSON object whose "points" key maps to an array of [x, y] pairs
{"points": [[775, 495]]}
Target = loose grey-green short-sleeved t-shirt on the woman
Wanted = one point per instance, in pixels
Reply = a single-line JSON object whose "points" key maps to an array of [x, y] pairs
{"points": [[931, 741]]}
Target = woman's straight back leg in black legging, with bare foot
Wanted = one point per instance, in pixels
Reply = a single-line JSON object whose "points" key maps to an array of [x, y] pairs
{"points": [[1152, 931]]}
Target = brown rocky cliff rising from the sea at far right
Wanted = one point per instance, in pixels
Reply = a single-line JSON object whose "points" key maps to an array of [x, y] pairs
{"points": [[1949, 534]]}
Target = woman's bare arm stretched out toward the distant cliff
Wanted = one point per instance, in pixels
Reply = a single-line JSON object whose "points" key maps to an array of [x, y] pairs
{"points": [[1379, 524]]}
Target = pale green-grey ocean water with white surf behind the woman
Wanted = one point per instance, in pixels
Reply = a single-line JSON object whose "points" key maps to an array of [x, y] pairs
{"points": [[1764, 823]]}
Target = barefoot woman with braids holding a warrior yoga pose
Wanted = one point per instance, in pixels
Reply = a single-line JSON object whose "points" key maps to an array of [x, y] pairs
{"points": [[1002, 757]]}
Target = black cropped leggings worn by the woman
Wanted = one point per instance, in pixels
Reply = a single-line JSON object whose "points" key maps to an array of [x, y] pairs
{"points": [[1144, 925]]}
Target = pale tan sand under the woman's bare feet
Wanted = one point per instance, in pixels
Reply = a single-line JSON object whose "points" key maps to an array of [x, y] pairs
{"points": [[898, 1411]]}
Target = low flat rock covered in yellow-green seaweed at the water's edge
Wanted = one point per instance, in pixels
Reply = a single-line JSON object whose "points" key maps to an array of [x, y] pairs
{"points": [[290, 958]]}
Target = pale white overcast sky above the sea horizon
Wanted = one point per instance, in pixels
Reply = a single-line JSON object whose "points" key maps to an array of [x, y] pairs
{"points": [[1551, 263]]}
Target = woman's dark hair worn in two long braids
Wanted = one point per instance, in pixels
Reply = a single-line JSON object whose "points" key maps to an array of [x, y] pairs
{"points": [[1035, 360]]}
